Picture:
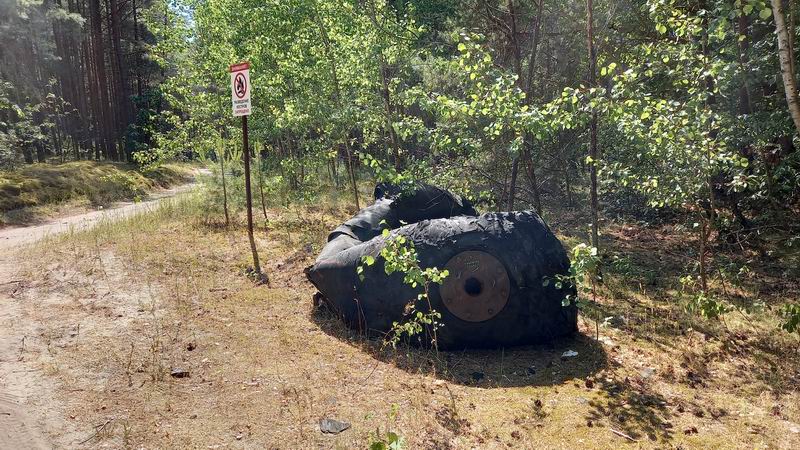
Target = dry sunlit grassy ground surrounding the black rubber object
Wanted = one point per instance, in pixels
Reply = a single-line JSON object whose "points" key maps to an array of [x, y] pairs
{"points": [[94, 324]]}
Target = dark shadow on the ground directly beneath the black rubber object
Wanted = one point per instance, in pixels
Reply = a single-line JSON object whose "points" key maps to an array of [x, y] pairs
{"points": [[533, 365]]}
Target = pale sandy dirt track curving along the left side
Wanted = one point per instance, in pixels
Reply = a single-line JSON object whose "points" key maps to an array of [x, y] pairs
{"points": [[30, 417]]}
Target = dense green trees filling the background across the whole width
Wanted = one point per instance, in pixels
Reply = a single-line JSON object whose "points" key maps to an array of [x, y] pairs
{"points": [[682, 100]]}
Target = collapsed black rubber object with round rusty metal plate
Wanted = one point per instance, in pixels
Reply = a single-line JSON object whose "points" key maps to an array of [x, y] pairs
{"points": [[494, 295]]}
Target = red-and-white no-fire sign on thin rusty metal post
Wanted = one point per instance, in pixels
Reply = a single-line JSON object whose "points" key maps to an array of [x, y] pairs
{"points": [[240, 98]]}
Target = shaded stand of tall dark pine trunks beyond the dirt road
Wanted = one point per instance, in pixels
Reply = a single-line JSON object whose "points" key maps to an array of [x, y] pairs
{"points": [[77, 80]]}
